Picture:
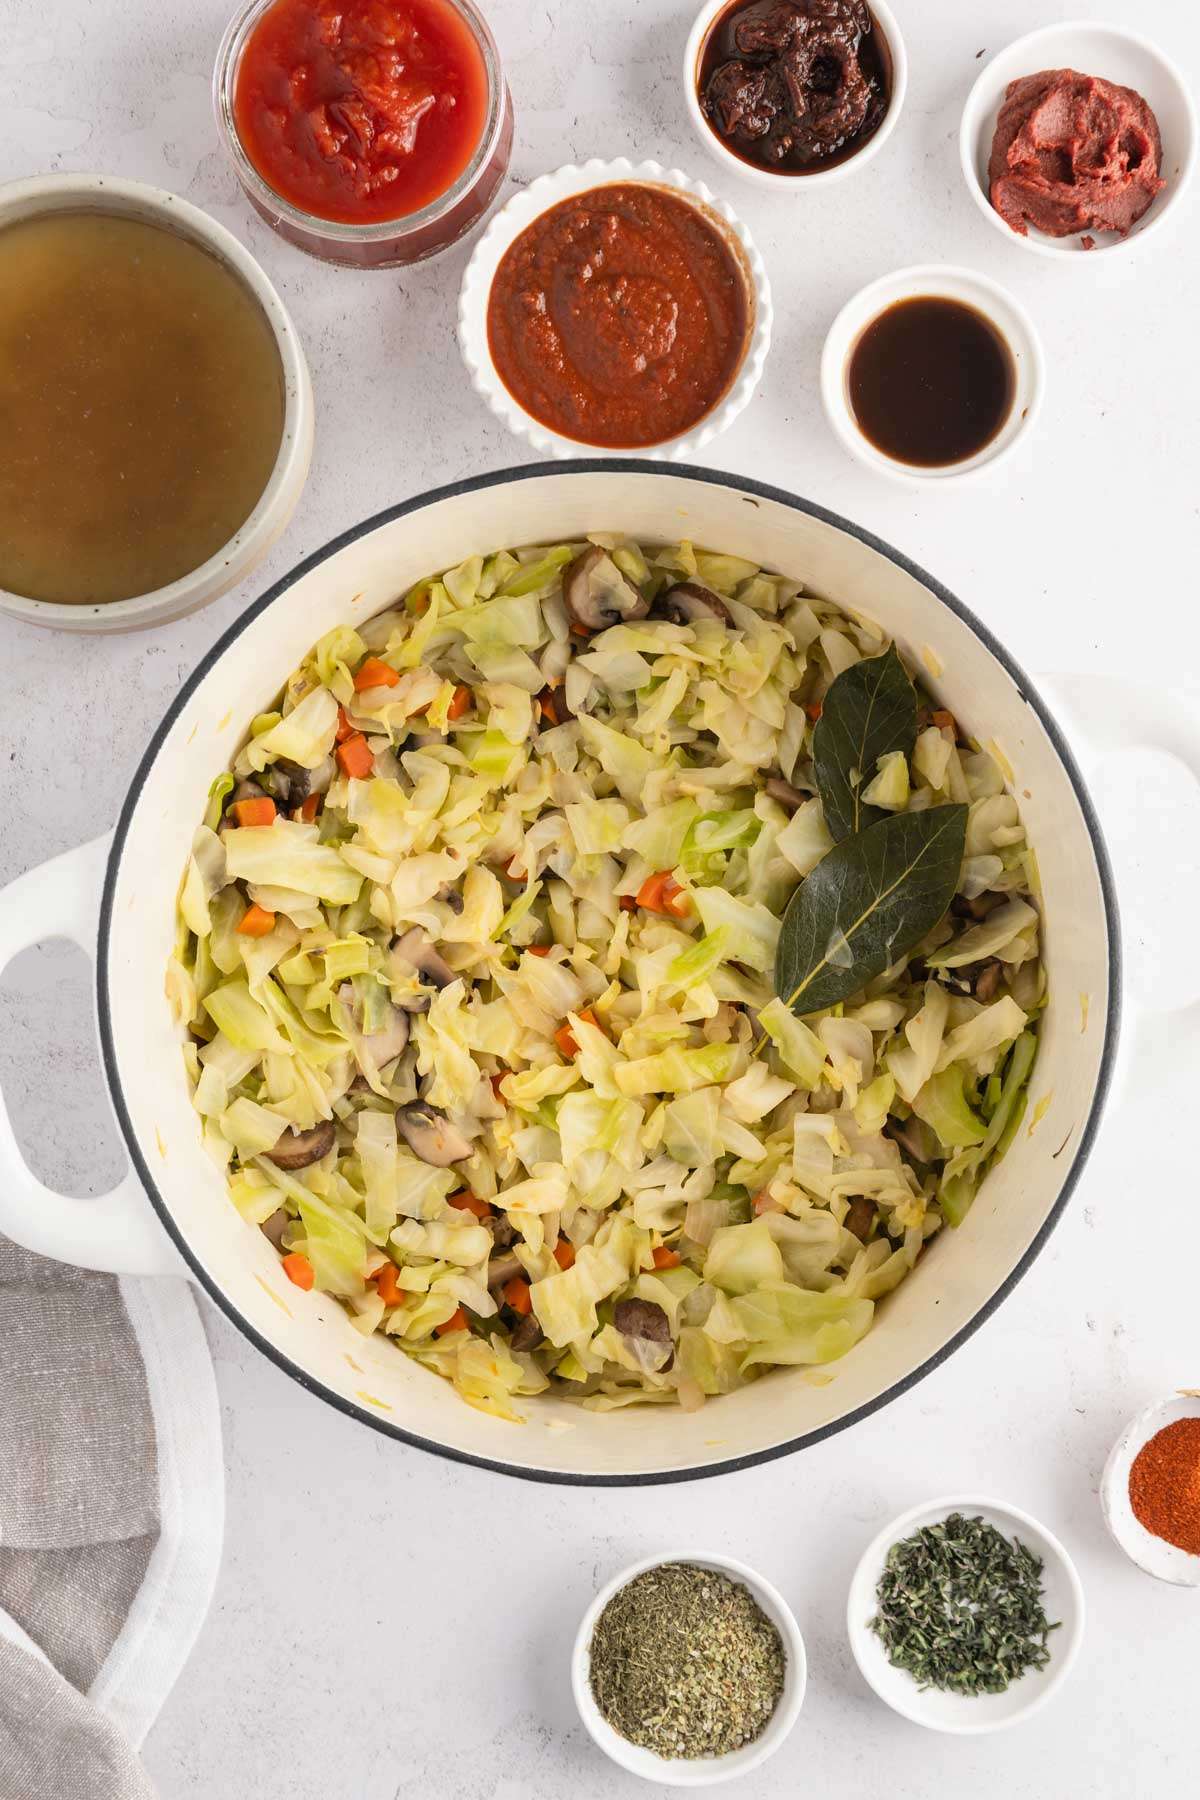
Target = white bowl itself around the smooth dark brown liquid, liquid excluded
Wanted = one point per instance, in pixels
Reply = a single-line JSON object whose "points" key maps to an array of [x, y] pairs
{"points": [[989, 298]]}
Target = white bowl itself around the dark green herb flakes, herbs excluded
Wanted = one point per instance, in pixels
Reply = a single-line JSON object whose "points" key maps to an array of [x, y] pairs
{"points": [[963, 1714]]}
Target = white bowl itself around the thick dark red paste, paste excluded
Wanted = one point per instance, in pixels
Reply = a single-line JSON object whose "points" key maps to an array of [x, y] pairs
{"points": [[1093, 49]]}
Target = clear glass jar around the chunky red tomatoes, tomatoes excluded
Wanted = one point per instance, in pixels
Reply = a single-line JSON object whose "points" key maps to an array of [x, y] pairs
{"points": [[343, 231]]}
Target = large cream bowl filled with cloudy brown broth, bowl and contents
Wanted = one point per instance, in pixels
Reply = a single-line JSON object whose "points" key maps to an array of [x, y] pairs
{"points": [[156, 408]]}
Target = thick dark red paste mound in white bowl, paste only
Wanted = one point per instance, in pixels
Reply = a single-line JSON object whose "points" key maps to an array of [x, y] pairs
{"points": [[1073, 154]]}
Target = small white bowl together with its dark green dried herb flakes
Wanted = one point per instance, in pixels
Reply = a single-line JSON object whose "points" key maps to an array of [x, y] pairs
{"points": [[965, 1615]]}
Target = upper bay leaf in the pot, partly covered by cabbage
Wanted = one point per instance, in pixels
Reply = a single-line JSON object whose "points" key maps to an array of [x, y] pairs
{"points": [[870, 710]]}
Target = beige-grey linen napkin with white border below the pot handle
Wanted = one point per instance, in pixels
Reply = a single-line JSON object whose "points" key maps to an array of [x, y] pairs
{"points": [[111, 1520]]}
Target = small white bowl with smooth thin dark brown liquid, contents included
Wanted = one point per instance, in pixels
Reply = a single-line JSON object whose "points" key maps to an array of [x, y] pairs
{"points": [[931, 375]]}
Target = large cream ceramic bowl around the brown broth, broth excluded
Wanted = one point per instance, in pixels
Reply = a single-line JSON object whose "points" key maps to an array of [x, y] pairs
{"points": [[246, 550]]}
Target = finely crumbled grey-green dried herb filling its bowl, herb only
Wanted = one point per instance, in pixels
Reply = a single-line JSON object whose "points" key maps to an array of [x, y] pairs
{"points": [[686, 1664]]}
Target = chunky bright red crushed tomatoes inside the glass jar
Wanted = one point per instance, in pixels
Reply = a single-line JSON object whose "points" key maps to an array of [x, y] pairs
{"points": [[361, 111]]}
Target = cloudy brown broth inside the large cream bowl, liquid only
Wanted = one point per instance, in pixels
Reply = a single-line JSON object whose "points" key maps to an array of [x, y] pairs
{"points": [[141, 408]]}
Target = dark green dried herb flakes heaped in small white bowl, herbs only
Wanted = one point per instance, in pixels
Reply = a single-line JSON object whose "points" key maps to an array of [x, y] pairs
{"points": [[960, 1606]]}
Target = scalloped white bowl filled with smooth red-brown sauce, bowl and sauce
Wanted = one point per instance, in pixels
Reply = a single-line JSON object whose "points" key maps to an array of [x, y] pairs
{"points": [[616, 307]]}
